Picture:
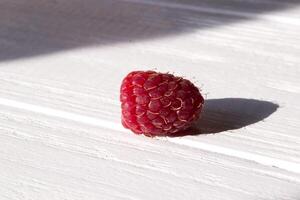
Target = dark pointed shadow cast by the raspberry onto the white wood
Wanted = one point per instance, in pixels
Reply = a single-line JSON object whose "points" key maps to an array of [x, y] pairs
{"points": [[228, 114]]}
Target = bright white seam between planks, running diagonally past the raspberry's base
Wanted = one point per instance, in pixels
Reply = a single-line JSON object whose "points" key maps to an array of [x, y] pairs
{"points": [[264, 160]]}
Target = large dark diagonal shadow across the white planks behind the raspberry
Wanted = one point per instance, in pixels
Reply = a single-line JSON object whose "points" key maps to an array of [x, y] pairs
{"points": [[34, 27]]}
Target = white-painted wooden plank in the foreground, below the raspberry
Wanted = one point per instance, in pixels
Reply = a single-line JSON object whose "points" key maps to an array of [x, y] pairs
{"points": [[46, 156]]}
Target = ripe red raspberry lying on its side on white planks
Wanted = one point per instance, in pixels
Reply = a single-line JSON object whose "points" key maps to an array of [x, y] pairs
{"points": [[157, 104]]}
